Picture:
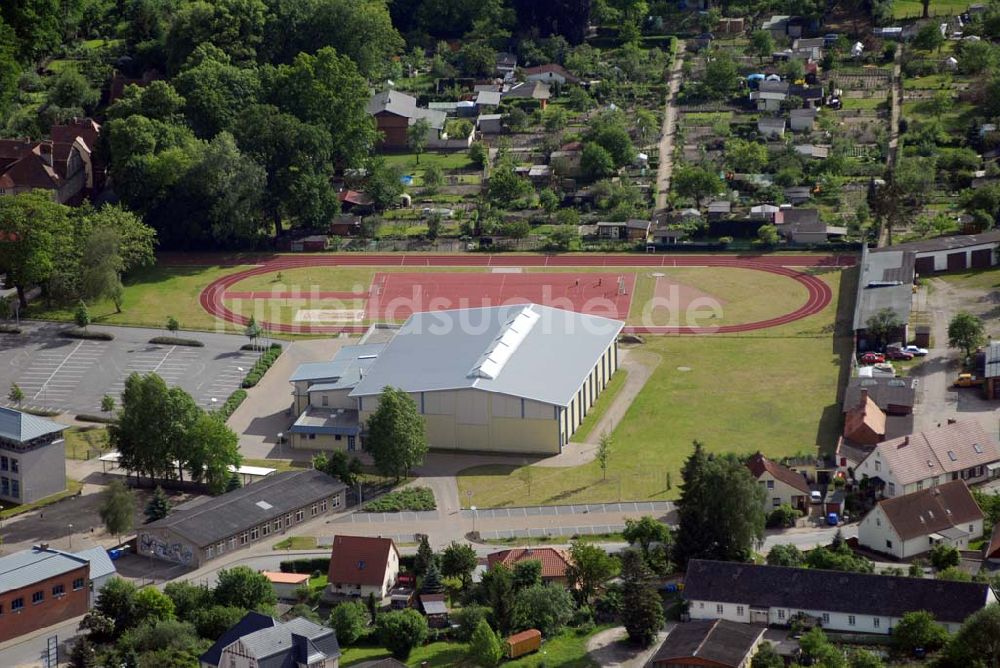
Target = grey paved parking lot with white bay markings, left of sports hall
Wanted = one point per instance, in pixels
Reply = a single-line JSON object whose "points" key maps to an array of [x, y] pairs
{"points": [[72, 375]]}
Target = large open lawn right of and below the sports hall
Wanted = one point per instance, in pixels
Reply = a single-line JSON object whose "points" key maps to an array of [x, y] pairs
{"points": [[774, 391]]}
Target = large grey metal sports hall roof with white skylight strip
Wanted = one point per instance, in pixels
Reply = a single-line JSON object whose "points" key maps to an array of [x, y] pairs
{"points": [[523, 350]]}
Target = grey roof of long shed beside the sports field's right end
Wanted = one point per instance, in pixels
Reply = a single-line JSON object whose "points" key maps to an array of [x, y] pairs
{"points": [[882, 268]]}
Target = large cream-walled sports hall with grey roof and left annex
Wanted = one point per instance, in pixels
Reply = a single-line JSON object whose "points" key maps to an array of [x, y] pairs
{"points": [[516, 378]]}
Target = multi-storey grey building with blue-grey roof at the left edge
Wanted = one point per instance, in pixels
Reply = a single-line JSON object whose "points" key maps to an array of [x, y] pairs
{"points": [[32, 457]]}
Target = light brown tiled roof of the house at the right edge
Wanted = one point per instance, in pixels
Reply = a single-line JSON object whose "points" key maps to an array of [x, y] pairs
{"points": [[945, 449]]}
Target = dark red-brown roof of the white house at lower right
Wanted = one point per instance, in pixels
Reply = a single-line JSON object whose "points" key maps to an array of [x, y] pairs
{"points": [[930, 510]]}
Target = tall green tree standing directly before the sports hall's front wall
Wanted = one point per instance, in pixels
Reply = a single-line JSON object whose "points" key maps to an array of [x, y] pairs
{"points": [[396, 440]]}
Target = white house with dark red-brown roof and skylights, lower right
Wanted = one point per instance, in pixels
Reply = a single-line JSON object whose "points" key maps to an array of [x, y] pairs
{"points": [[912, 524]]}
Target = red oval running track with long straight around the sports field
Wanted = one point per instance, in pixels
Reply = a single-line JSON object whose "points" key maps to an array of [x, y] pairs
{"points": [[819, 293]]}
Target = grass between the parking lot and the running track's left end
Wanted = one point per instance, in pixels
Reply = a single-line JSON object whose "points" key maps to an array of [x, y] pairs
{"points": [[150, 296]]}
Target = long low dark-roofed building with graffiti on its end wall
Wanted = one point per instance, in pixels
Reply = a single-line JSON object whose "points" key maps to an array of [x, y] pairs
{"points": [[203, 529]]}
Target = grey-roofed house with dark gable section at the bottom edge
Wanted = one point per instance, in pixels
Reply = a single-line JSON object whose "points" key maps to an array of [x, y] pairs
{"points": [[259, 640]]}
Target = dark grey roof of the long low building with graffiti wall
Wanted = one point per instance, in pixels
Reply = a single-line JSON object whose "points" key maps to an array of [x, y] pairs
{"points": [[214, 519]]}
